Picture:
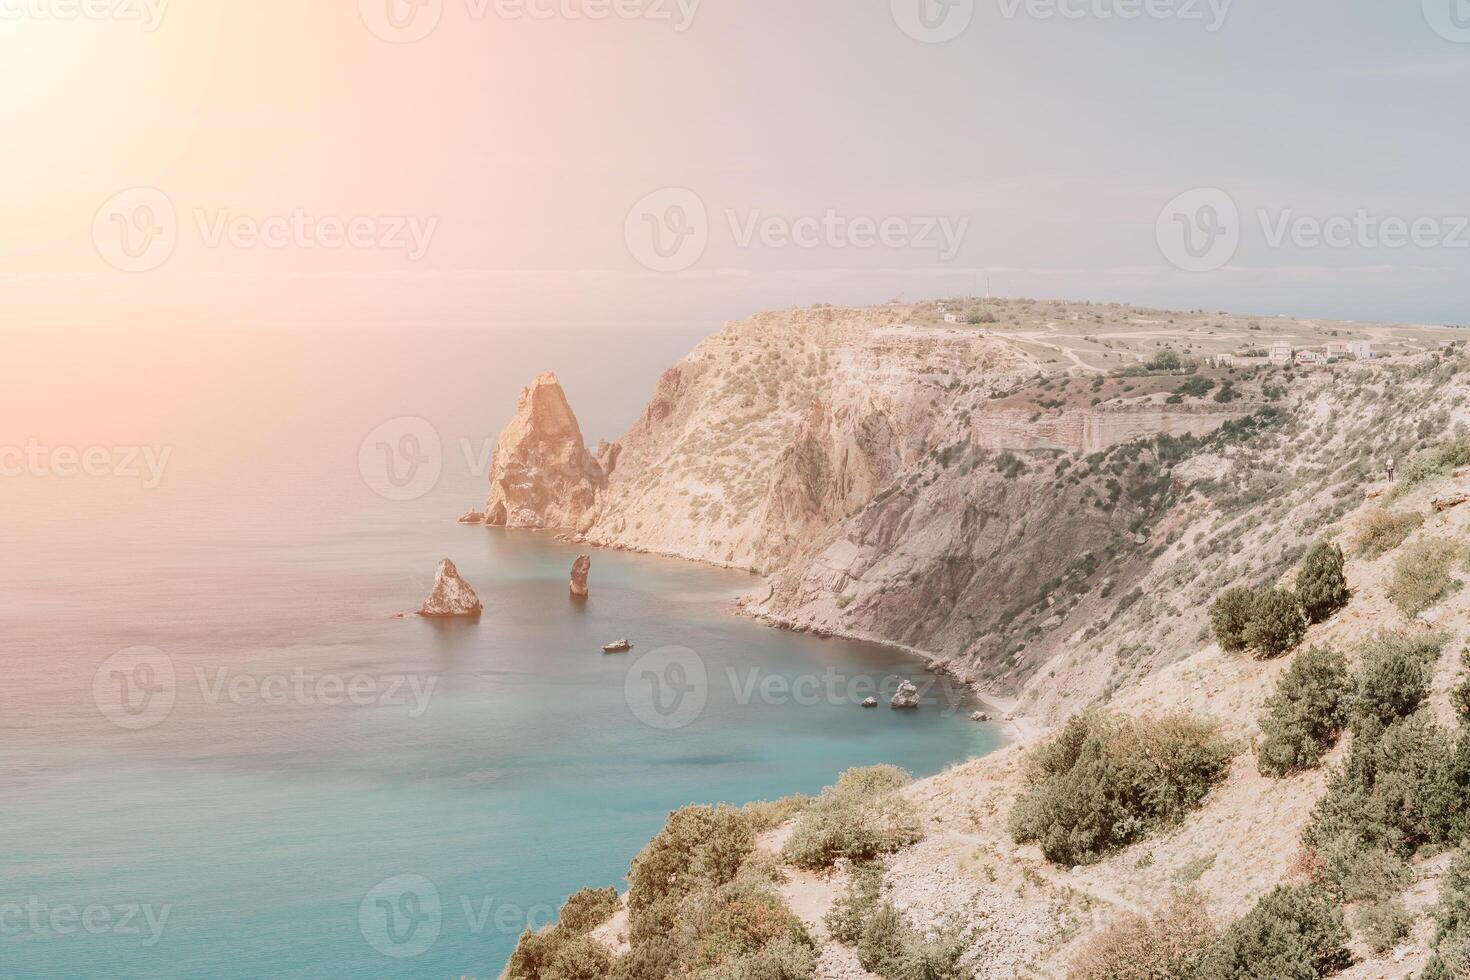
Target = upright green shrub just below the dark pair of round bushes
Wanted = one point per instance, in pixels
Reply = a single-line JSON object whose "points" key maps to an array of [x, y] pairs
{"points": [[1306, 715]]}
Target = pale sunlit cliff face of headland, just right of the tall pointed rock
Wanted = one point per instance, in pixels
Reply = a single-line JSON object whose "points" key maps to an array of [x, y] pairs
{"points": [[778, 427]]}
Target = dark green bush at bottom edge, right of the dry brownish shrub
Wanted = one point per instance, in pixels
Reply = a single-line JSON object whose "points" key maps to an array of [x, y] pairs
{"points": [[1294, 934]]}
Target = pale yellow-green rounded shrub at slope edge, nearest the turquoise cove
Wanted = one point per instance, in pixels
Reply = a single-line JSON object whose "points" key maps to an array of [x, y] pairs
{"points": [[861, 819]]}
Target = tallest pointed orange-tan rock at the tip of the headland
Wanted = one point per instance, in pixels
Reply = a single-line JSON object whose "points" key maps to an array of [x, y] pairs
{"points": [[543, 475]]}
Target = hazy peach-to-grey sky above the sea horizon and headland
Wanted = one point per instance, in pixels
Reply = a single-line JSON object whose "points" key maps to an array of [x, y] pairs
{"points": [[523, 162]]}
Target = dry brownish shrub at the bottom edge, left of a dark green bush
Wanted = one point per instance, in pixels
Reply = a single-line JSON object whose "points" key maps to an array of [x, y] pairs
{"points": [[1171, 945]]}
